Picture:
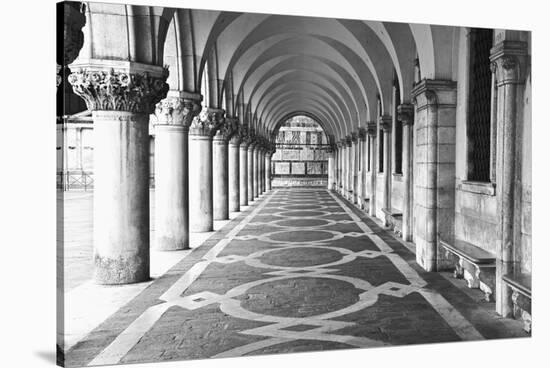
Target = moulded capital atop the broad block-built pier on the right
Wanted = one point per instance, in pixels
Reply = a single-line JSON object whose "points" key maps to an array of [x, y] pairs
{"points": [[434, 92]]}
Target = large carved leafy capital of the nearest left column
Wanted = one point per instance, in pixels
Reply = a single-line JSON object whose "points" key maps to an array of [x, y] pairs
{"points": [[119, 91]]}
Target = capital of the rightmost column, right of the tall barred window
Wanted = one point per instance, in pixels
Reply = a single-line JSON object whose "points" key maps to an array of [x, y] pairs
{"points": [[509, 61]]}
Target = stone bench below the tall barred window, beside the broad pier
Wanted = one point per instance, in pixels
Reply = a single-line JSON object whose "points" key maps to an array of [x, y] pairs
{"points": [[477, 266]]}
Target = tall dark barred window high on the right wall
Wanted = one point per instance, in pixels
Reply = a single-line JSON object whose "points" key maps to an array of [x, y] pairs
{"points": [[479, 106]]}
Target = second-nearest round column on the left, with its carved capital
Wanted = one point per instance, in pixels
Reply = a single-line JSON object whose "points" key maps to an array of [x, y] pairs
{"points": [[173, 118]]}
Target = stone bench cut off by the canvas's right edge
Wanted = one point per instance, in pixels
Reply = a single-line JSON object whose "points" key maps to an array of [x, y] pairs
{"points": [[520, 283]]}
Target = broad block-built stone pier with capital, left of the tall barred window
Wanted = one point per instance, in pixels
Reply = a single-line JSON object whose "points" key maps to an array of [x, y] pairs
{"points": [[435, 107]]}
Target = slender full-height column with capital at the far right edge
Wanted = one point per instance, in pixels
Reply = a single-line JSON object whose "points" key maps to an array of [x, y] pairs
{"points": [[509, 59]]}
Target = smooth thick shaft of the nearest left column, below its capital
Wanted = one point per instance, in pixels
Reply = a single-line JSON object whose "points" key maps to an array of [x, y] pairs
{"points": [[121, 197]]}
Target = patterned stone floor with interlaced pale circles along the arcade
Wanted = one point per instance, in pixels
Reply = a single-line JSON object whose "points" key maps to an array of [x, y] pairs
{"points": [[300, 270]]}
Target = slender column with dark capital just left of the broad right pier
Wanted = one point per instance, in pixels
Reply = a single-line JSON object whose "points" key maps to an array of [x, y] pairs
{"points": [[405, 114]]}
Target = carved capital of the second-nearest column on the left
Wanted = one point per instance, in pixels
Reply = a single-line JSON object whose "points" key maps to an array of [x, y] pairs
{"points": [[176, 111]]}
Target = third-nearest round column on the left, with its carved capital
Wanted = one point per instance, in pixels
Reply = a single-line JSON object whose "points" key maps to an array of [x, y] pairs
{"points": [[201, 203]]}
